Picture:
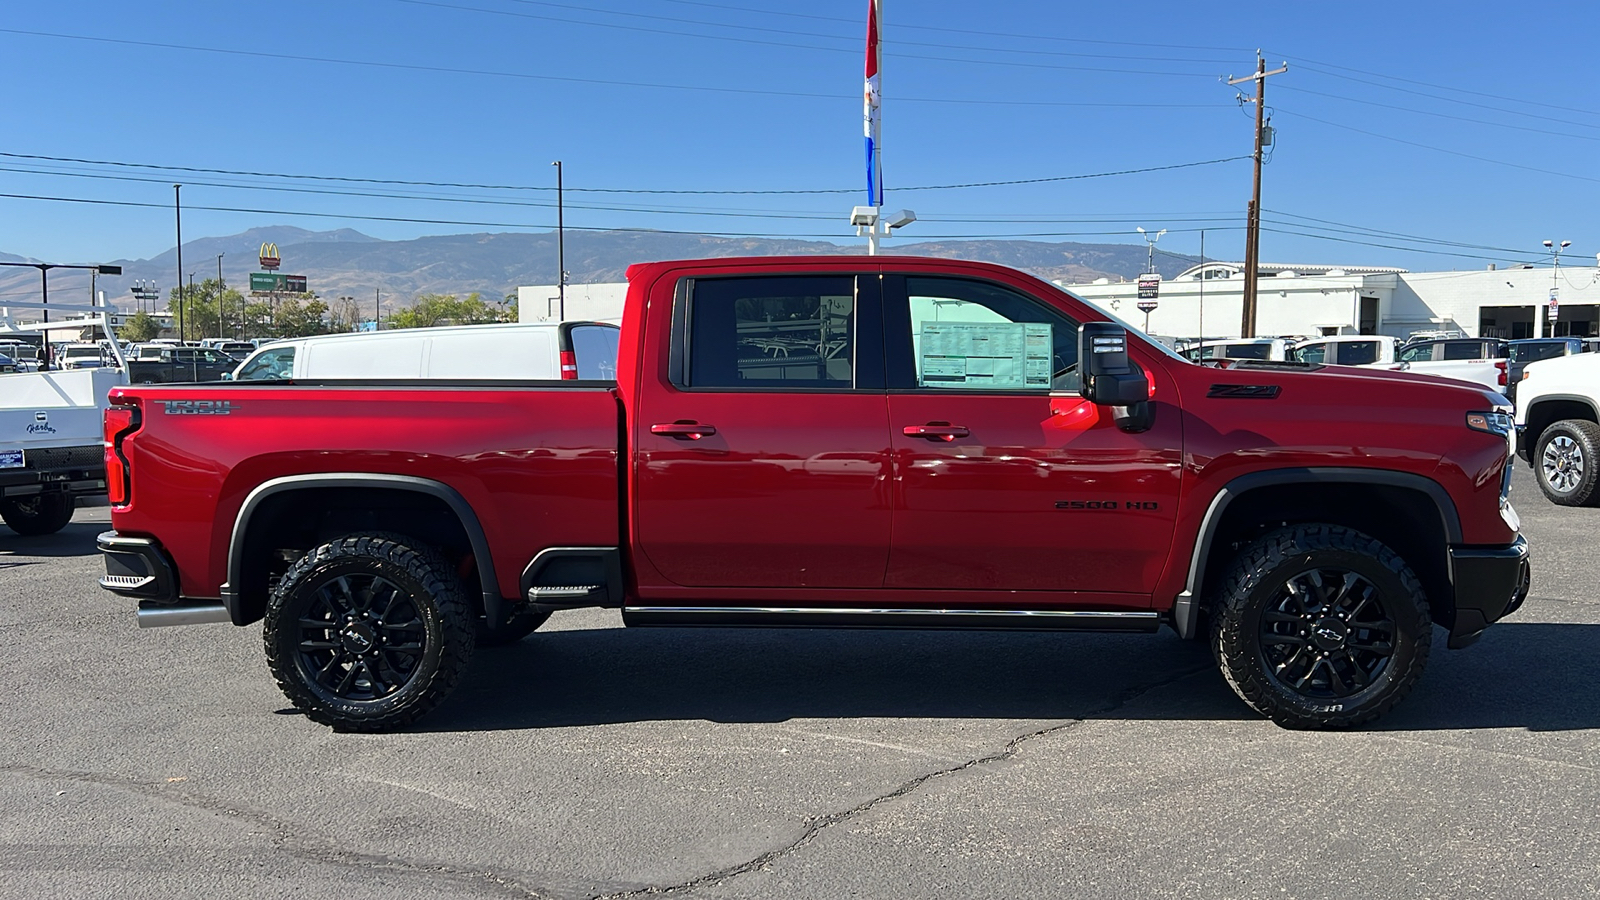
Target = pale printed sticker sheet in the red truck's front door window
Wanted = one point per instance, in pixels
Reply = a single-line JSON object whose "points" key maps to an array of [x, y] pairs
{"points": [[988, 356]]}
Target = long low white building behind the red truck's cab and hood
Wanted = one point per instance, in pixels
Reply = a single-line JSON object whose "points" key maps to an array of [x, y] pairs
{"points": [[1292, 300]]}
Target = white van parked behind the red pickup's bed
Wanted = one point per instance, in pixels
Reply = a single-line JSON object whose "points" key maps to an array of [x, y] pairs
{"points": [[537, 352]]}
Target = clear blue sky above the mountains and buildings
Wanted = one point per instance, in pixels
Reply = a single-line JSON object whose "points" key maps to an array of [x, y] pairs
{"points": [[1418, 135]]}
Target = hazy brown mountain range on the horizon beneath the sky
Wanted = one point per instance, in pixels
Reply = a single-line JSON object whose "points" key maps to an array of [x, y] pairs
{"points": [[350, 263]]}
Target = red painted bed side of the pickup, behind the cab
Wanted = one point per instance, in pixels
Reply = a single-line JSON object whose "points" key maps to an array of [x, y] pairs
{"points": [[537, 465]]}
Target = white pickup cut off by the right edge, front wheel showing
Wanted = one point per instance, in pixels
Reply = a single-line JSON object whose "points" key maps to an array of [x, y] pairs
{"points": [[1559, 427]]}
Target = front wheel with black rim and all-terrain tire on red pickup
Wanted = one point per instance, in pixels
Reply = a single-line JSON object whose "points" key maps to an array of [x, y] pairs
{"points": [[1321, 627]]}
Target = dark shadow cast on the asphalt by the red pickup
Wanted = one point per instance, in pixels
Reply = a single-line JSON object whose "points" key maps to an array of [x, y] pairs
{"points": [[1534, 677]]}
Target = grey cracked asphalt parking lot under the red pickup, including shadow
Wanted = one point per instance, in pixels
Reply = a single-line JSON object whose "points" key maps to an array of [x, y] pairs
{"points": [[594, 761]]}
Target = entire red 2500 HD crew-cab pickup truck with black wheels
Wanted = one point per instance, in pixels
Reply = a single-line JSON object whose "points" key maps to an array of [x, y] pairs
{"points": [[890, 443]]}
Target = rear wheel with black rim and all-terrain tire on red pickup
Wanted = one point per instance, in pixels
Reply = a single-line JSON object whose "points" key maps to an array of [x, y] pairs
{"points": [[370, 632]]}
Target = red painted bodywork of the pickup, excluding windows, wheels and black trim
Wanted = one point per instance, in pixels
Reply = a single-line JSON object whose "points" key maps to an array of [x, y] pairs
{"points": [[817, 499]]}
